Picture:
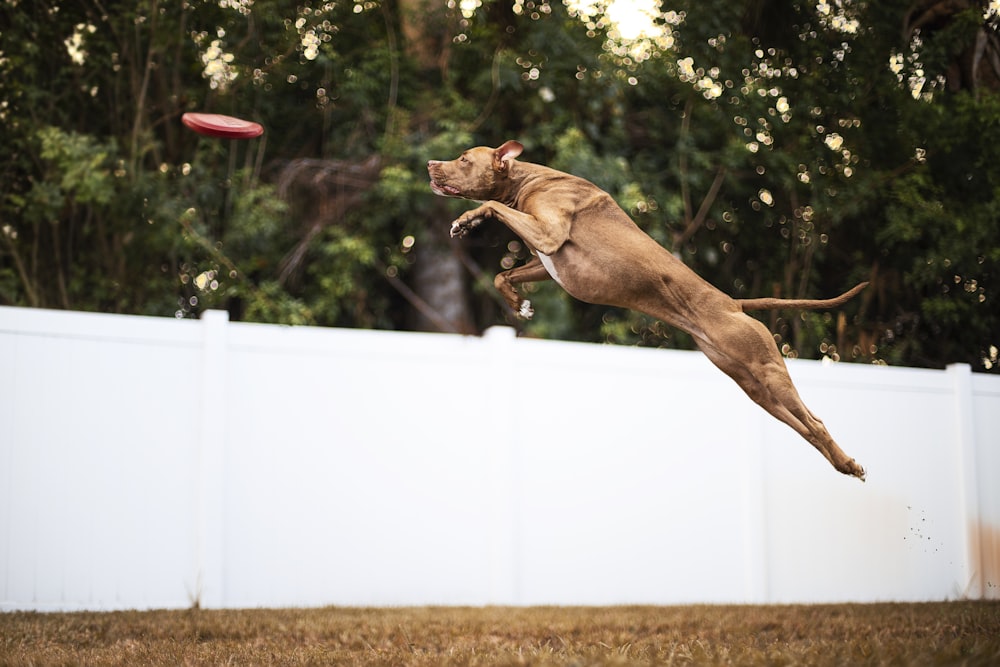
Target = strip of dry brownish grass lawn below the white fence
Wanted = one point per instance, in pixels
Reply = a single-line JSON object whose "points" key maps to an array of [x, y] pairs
{"points": [[879, 634]]}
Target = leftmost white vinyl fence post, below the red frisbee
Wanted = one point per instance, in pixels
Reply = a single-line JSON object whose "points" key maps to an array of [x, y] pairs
{"points": [[211, 463]]}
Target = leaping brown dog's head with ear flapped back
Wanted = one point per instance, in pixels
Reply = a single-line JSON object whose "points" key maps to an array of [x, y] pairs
{"points": [[478, 173]]}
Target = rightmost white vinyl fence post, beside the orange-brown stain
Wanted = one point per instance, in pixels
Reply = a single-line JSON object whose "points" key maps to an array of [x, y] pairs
{"points": [[965, 433]]}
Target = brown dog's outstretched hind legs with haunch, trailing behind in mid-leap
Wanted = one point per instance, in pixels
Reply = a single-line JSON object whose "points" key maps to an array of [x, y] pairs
{"points": [[744, 350]]}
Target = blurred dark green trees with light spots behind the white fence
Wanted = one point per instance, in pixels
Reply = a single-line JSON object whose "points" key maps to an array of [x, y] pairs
{"points": [[778, 147]]}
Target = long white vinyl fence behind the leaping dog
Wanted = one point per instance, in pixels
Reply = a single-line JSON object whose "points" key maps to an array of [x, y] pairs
{"points": [[150, 463]]}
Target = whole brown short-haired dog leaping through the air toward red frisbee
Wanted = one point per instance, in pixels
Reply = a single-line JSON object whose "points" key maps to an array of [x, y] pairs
{"points": [[585, 242]]}
